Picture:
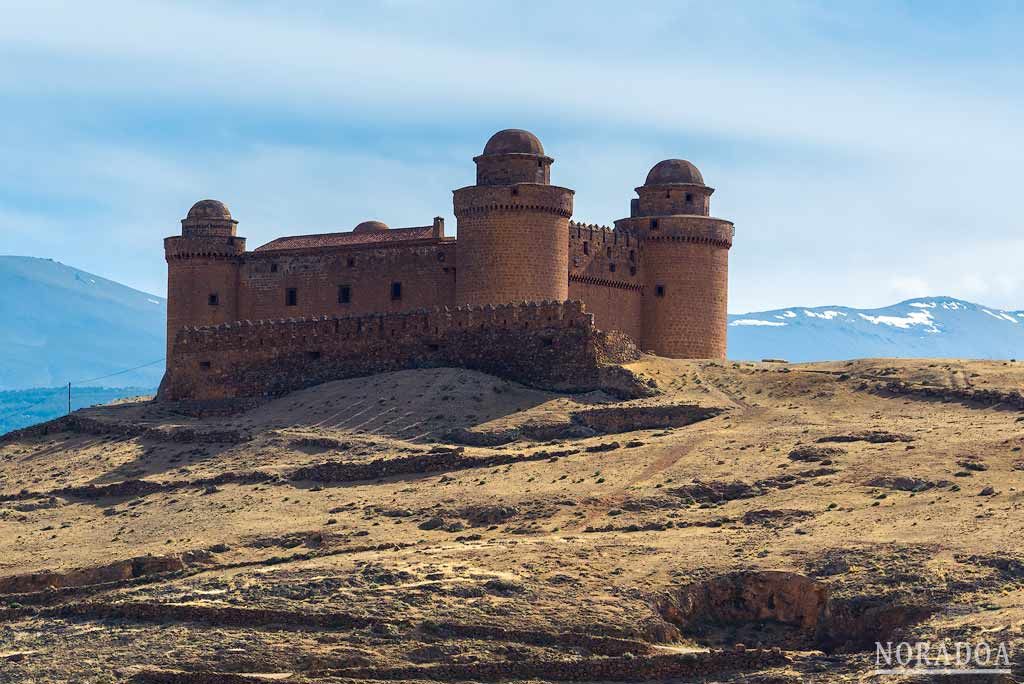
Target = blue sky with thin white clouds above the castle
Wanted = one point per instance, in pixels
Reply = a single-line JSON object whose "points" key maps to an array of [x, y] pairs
{"points": [[868, 152]]}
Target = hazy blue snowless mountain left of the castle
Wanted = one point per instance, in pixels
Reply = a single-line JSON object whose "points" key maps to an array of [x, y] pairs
{"points": [[62, 324]]}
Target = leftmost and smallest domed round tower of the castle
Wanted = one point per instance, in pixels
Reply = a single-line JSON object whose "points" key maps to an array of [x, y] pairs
{"points": [[203, 270]]}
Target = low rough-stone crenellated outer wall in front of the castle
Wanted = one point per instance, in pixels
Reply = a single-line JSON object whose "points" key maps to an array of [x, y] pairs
{"points": [[551, 345]]}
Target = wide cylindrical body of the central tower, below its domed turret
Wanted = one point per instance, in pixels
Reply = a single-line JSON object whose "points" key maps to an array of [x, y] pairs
{"points": [[514, 244]]}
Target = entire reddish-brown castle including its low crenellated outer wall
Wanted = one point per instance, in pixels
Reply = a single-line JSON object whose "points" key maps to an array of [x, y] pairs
{"points": [[520, 268]]}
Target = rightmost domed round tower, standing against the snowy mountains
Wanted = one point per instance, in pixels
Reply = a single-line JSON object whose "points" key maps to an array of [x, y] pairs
{"points": [[686, 263]]}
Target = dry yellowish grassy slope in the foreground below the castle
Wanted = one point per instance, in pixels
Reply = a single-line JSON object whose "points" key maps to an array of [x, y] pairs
{"points": [[580, 558]]}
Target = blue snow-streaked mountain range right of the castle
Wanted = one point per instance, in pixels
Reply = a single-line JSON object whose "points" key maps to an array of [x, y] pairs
{"points": [[930, 327]]}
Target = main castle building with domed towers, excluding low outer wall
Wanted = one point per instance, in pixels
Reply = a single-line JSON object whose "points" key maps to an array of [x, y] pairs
{"points": [[660, 276]]}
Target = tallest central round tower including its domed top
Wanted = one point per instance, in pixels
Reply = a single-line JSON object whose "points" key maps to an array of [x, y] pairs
{"points": [[514, 226]]}
